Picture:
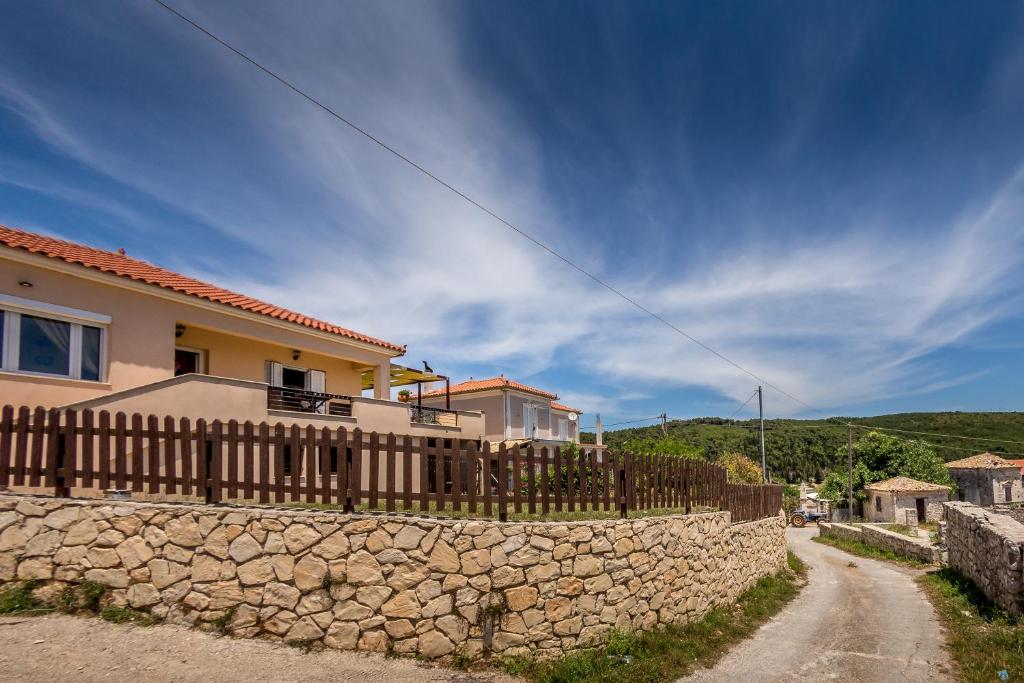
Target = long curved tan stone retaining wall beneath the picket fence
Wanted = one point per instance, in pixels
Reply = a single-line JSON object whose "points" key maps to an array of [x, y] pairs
{"points": [[388, 583]]}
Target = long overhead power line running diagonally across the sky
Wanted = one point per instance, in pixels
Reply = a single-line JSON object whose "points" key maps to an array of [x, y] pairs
{"points": [[385, 146]]}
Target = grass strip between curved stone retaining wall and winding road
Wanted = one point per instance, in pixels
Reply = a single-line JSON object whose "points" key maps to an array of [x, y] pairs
{"points": [[672, 652]]}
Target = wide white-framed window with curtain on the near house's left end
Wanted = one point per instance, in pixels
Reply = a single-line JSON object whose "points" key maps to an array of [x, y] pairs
{"points": [[38, 338]]}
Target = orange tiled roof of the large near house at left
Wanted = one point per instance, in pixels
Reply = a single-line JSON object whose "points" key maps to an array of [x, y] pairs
{"points": [[119, 265]]}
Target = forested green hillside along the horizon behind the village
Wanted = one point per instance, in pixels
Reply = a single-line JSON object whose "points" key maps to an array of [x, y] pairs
{"points": [[807, 449]]}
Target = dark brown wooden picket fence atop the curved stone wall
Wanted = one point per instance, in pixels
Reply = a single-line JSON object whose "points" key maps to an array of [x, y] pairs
{"points": [[219, 461]]}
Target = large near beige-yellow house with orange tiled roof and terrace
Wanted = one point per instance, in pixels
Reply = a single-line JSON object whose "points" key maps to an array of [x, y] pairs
{"points": [[88, 328]]}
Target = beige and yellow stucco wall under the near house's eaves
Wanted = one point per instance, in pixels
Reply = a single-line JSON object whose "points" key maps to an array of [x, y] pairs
{"points": [[141, 338]]}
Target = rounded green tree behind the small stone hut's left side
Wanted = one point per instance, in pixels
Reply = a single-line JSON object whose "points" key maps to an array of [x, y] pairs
{"points": [[878, 457]]}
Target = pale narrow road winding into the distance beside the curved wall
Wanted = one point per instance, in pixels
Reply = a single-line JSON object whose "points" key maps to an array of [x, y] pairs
{"points": [[866, 623]]}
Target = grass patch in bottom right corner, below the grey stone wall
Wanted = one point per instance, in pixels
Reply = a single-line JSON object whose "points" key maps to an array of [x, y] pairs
{"points": [[984, 639]]}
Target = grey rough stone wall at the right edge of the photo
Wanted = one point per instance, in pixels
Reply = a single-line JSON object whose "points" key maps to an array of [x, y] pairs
{"points": [[989, 549]]}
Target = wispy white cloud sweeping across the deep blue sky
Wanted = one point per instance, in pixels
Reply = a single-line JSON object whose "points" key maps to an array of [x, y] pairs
{"points": [[352, 235]]}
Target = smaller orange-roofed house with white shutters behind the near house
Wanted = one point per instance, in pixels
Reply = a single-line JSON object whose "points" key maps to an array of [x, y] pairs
{"points": [[514, 412]]}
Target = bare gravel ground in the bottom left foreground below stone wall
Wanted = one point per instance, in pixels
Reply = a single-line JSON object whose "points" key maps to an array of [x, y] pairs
{"points": [[70, 649]]}
